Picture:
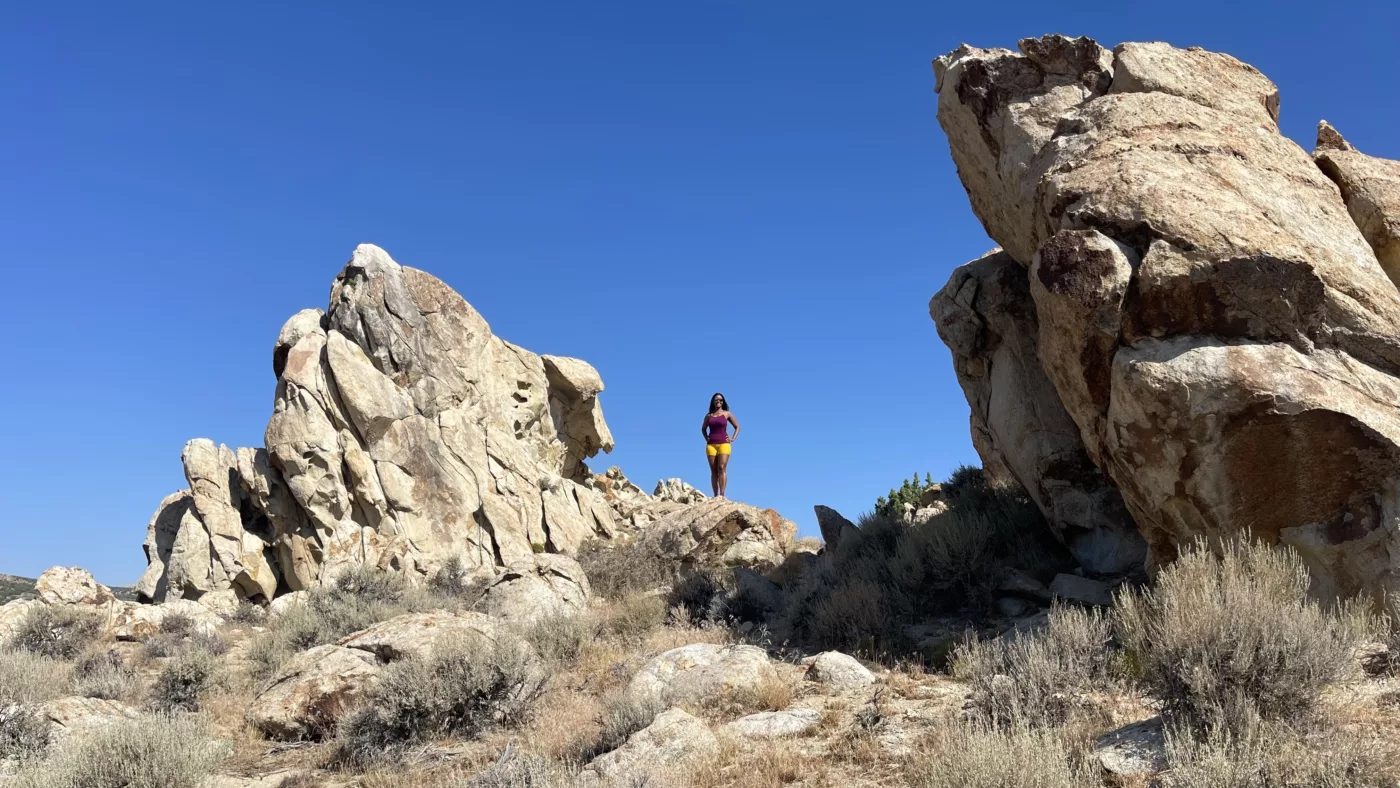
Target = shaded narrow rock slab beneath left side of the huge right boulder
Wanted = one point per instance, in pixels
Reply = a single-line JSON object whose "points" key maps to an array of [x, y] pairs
{"points": [[1018, 422]]}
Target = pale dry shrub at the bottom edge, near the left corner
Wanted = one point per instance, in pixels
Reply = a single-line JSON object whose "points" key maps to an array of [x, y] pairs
{"points": [[153, 752]]}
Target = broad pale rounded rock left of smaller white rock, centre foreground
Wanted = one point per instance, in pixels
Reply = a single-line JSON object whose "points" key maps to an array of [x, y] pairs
{"points": [[702, 673]]}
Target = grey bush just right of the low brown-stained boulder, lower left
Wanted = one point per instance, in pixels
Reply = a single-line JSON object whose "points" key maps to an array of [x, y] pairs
{"points": [[463, 689]]}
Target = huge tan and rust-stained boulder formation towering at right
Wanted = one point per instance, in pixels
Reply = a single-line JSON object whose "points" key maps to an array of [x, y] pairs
{"points": [[1206, 311]]}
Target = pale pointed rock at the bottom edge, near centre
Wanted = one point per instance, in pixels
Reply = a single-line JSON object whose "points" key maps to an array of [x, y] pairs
{"points": [[673, 741]]}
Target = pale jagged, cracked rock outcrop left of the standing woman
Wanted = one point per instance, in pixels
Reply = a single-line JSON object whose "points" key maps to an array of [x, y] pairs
{"points": [[402, 433]]}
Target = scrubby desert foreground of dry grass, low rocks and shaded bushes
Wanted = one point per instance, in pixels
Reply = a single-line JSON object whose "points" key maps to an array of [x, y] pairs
{"points": [[1244, 678]]}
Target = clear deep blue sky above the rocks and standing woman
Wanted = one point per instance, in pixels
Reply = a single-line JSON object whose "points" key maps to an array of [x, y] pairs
{"points": [[694, 197]]}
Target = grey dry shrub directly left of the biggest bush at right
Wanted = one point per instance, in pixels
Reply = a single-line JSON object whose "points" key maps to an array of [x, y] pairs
{"points": [[1032, 680]]}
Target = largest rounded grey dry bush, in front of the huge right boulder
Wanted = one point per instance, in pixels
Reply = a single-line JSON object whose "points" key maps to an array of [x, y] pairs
{"points": [[1228, 638]]}
